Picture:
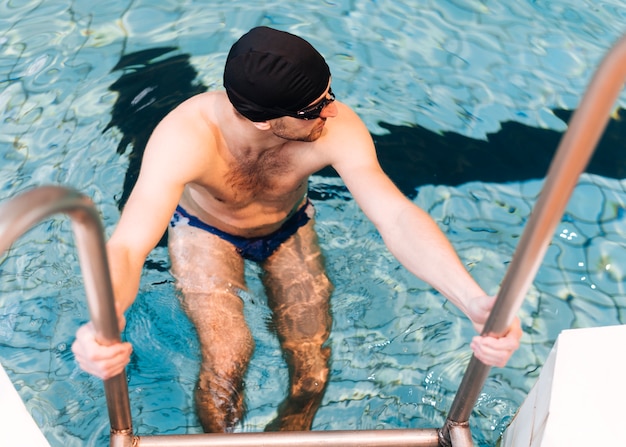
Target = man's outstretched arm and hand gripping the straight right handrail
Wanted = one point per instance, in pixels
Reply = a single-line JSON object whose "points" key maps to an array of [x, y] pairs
{"points": [[414, 238]]}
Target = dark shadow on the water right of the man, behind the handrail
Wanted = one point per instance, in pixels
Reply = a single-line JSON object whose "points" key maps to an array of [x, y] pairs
{"points": [[414, 156]]}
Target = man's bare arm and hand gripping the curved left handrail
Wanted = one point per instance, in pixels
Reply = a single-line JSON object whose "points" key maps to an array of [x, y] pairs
{"points": [[168, 165]]}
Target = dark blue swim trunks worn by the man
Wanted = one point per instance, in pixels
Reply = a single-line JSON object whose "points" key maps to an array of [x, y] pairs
{"points": [[256, 249]]}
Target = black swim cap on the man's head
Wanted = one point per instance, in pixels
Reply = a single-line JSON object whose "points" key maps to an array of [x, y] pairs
{"points": [[271, 73]]}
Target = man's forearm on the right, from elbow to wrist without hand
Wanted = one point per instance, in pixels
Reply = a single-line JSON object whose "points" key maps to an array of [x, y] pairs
{"points": [[417, 242]]}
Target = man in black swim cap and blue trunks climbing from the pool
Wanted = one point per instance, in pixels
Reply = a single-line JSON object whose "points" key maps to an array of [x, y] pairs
{"points": [[228, 172]]}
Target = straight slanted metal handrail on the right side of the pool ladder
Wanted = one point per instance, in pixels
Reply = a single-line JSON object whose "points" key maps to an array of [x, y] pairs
{"points": [[573, 154]]}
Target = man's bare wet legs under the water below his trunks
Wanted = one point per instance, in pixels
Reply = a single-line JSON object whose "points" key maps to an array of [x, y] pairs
{"points": [[210, 273]]}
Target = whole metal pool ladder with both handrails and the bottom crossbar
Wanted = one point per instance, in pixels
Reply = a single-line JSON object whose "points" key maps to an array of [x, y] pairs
{"points": [[574, 151]]}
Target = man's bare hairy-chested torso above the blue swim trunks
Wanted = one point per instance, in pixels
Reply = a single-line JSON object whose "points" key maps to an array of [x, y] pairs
{"points": [[245, 197]]}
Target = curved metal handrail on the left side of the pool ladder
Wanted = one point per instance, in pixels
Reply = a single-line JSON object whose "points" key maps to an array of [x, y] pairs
{"points": [[27, 209]]}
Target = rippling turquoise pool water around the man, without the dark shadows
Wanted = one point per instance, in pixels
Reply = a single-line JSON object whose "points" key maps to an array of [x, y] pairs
{"points": [[399, 350]]}
